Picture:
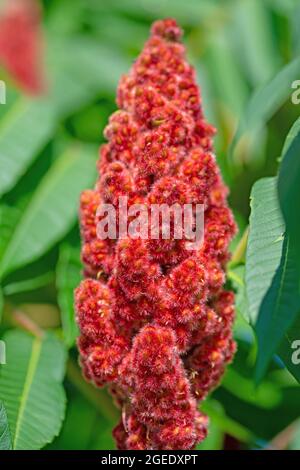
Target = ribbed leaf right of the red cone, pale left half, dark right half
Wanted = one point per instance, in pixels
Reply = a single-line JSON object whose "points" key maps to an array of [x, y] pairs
{"points": [[271, 275]]}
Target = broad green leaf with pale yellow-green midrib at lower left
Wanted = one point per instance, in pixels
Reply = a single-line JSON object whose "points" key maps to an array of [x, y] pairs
{"points": [[31, 388]]}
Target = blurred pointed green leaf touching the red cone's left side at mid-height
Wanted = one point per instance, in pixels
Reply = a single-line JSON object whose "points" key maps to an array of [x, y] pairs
{"points": [[52, 209]]}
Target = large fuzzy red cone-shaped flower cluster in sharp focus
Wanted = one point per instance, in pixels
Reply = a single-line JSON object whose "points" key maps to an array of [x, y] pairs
{"points": [[155, 321]]}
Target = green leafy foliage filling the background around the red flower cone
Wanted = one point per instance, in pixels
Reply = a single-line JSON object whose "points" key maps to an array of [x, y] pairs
{"points": [[247, 55]]}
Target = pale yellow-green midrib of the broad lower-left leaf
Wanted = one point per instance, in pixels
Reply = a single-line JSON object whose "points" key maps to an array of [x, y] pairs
{"points": [[32, 366]]}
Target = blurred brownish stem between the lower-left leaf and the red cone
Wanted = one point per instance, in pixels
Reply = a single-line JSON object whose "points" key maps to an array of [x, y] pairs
{"points": [[98, 398]]}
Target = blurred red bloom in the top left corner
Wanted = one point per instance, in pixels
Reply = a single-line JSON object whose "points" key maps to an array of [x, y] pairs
{"points": [[21, 43]]}
